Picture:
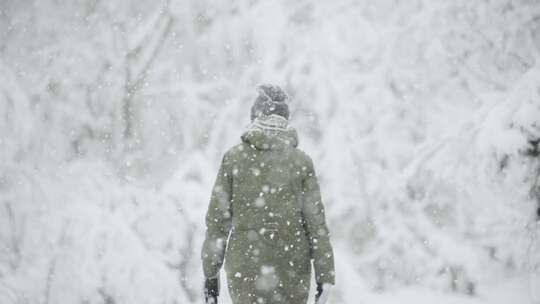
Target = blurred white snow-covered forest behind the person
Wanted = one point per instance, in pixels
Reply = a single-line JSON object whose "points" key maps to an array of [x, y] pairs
{"points": [[422, 117]]}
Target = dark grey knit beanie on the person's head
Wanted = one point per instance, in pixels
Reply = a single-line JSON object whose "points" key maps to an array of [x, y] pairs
{"points": [[271, 100]]}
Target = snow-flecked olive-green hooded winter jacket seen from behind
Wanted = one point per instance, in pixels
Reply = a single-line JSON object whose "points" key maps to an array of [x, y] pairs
{"points": [[266, 220]]}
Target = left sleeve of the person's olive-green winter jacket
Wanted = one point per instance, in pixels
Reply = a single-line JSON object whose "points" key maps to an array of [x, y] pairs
{"points": [[218, 222]]}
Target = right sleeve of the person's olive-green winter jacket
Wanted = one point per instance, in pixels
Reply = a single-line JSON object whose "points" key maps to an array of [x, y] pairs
{"points": [[317, 230]]}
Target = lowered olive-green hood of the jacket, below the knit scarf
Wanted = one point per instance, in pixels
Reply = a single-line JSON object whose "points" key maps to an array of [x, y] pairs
{"points": [[278, 139]]}
